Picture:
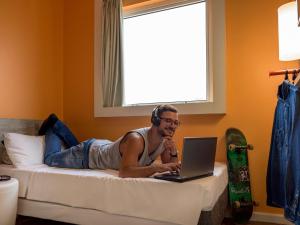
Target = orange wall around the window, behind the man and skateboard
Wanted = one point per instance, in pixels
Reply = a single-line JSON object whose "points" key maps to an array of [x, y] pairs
{"points": [[251, 52]]}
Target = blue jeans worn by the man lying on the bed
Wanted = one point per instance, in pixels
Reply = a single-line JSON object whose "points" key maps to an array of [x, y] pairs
{"points": [[76, 155]]}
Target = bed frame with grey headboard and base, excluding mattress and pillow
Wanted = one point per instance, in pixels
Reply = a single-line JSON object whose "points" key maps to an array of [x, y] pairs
{"points": [[87, 216]]}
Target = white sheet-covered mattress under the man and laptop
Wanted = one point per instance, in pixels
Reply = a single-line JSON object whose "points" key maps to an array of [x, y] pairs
{"points": [[103, 190]]}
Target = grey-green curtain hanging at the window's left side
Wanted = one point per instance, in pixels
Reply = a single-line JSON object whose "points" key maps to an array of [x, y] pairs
{"points": [[112, 53]]}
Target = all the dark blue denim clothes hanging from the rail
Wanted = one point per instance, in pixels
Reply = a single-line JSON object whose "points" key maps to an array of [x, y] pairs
{"points": [[283, 175]]}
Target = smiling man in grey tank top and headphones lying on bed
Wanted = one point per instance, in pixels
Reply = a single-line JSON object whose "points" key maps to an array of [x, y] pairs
{"points": [[133, 154]]}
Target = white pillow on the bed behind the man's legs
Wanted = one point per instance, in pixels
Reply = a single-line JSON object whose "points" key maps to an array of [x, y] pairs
{"points": [[24, 150]]}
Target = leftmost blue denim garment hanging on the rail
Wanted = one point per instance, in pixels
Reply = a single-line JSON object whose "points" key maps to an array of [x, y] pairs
{"points": [[276, 173]]}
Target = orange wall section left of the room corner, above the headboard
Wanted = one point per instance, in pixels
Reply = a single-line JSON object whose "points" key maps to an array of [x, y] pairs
{"points": [[31, 58]]}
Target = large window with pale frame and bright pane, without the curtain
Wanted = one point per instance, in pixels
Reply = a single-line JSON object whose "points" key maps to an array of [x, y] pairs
{"points": [[197, 86]]}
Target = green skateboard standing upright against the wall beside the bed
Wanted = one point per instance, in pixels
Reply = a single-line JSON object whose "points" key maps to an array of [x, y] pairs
{"points": [[240, 198]]}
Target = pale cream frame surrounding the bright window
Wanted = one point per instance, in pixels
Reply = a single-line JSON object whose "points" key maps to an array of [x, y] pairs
{"points": [[216, 104]]}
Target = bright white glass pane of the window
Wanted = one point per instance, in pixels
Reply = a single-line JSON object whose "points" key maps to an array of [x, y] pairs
{"points": [[165, 56]]}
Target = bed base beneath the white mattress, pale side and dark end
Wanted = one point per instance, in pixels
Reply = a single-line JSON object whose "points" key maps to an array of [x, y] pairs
{"points": [[83, 216]]}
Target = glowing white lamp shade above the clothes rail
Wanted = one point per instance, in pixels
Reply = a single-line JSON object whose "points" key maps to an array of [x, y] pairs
{"points": [[289, 32]]}
